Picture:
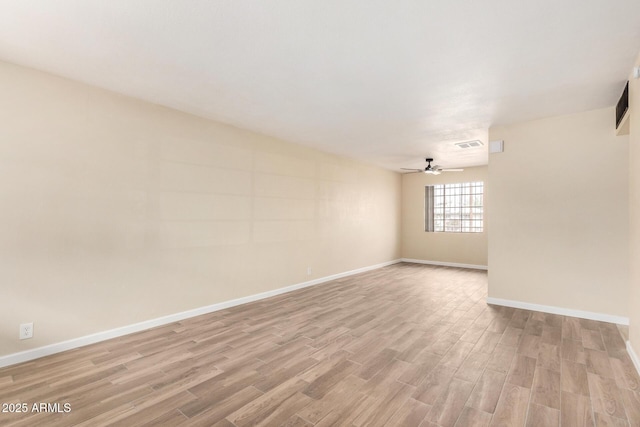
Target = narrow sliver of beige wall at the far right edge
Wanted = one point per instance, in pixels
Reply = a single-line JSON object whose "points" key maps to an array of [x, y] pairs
{"points": [[634, 213]]}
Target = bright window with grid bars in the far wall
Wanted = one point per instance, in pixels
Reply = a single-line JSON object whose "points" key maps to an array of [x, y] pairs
{"points": [[454, 208]]}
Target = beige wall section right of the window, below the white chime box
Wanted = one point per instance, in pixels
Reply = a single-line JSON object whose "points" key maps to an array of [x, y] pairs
{"points": [[559, 213]]}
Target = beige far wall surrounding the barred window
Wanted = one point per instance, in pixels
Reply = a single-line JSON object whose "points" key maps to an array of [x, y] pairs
{"points": [[459, 248]]}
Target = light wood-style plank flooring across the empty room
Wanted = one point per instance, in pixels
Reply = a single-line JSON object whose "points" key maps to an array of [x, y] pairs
{"points": [[405, 345]]}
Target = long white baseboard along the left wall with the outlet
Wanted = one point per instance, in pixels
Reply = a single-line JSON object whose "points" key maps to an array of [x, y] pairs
{"points": [[36, 353]]}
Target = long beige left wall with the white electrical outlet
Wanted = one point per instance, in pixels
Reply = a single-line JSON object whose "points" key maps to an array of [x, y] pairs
{"points": [[115, 211]]}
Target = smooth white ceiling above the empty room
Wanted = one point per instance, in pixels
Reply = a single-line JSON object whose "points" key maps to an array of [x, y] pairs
{"points": [[388, 82]]}
